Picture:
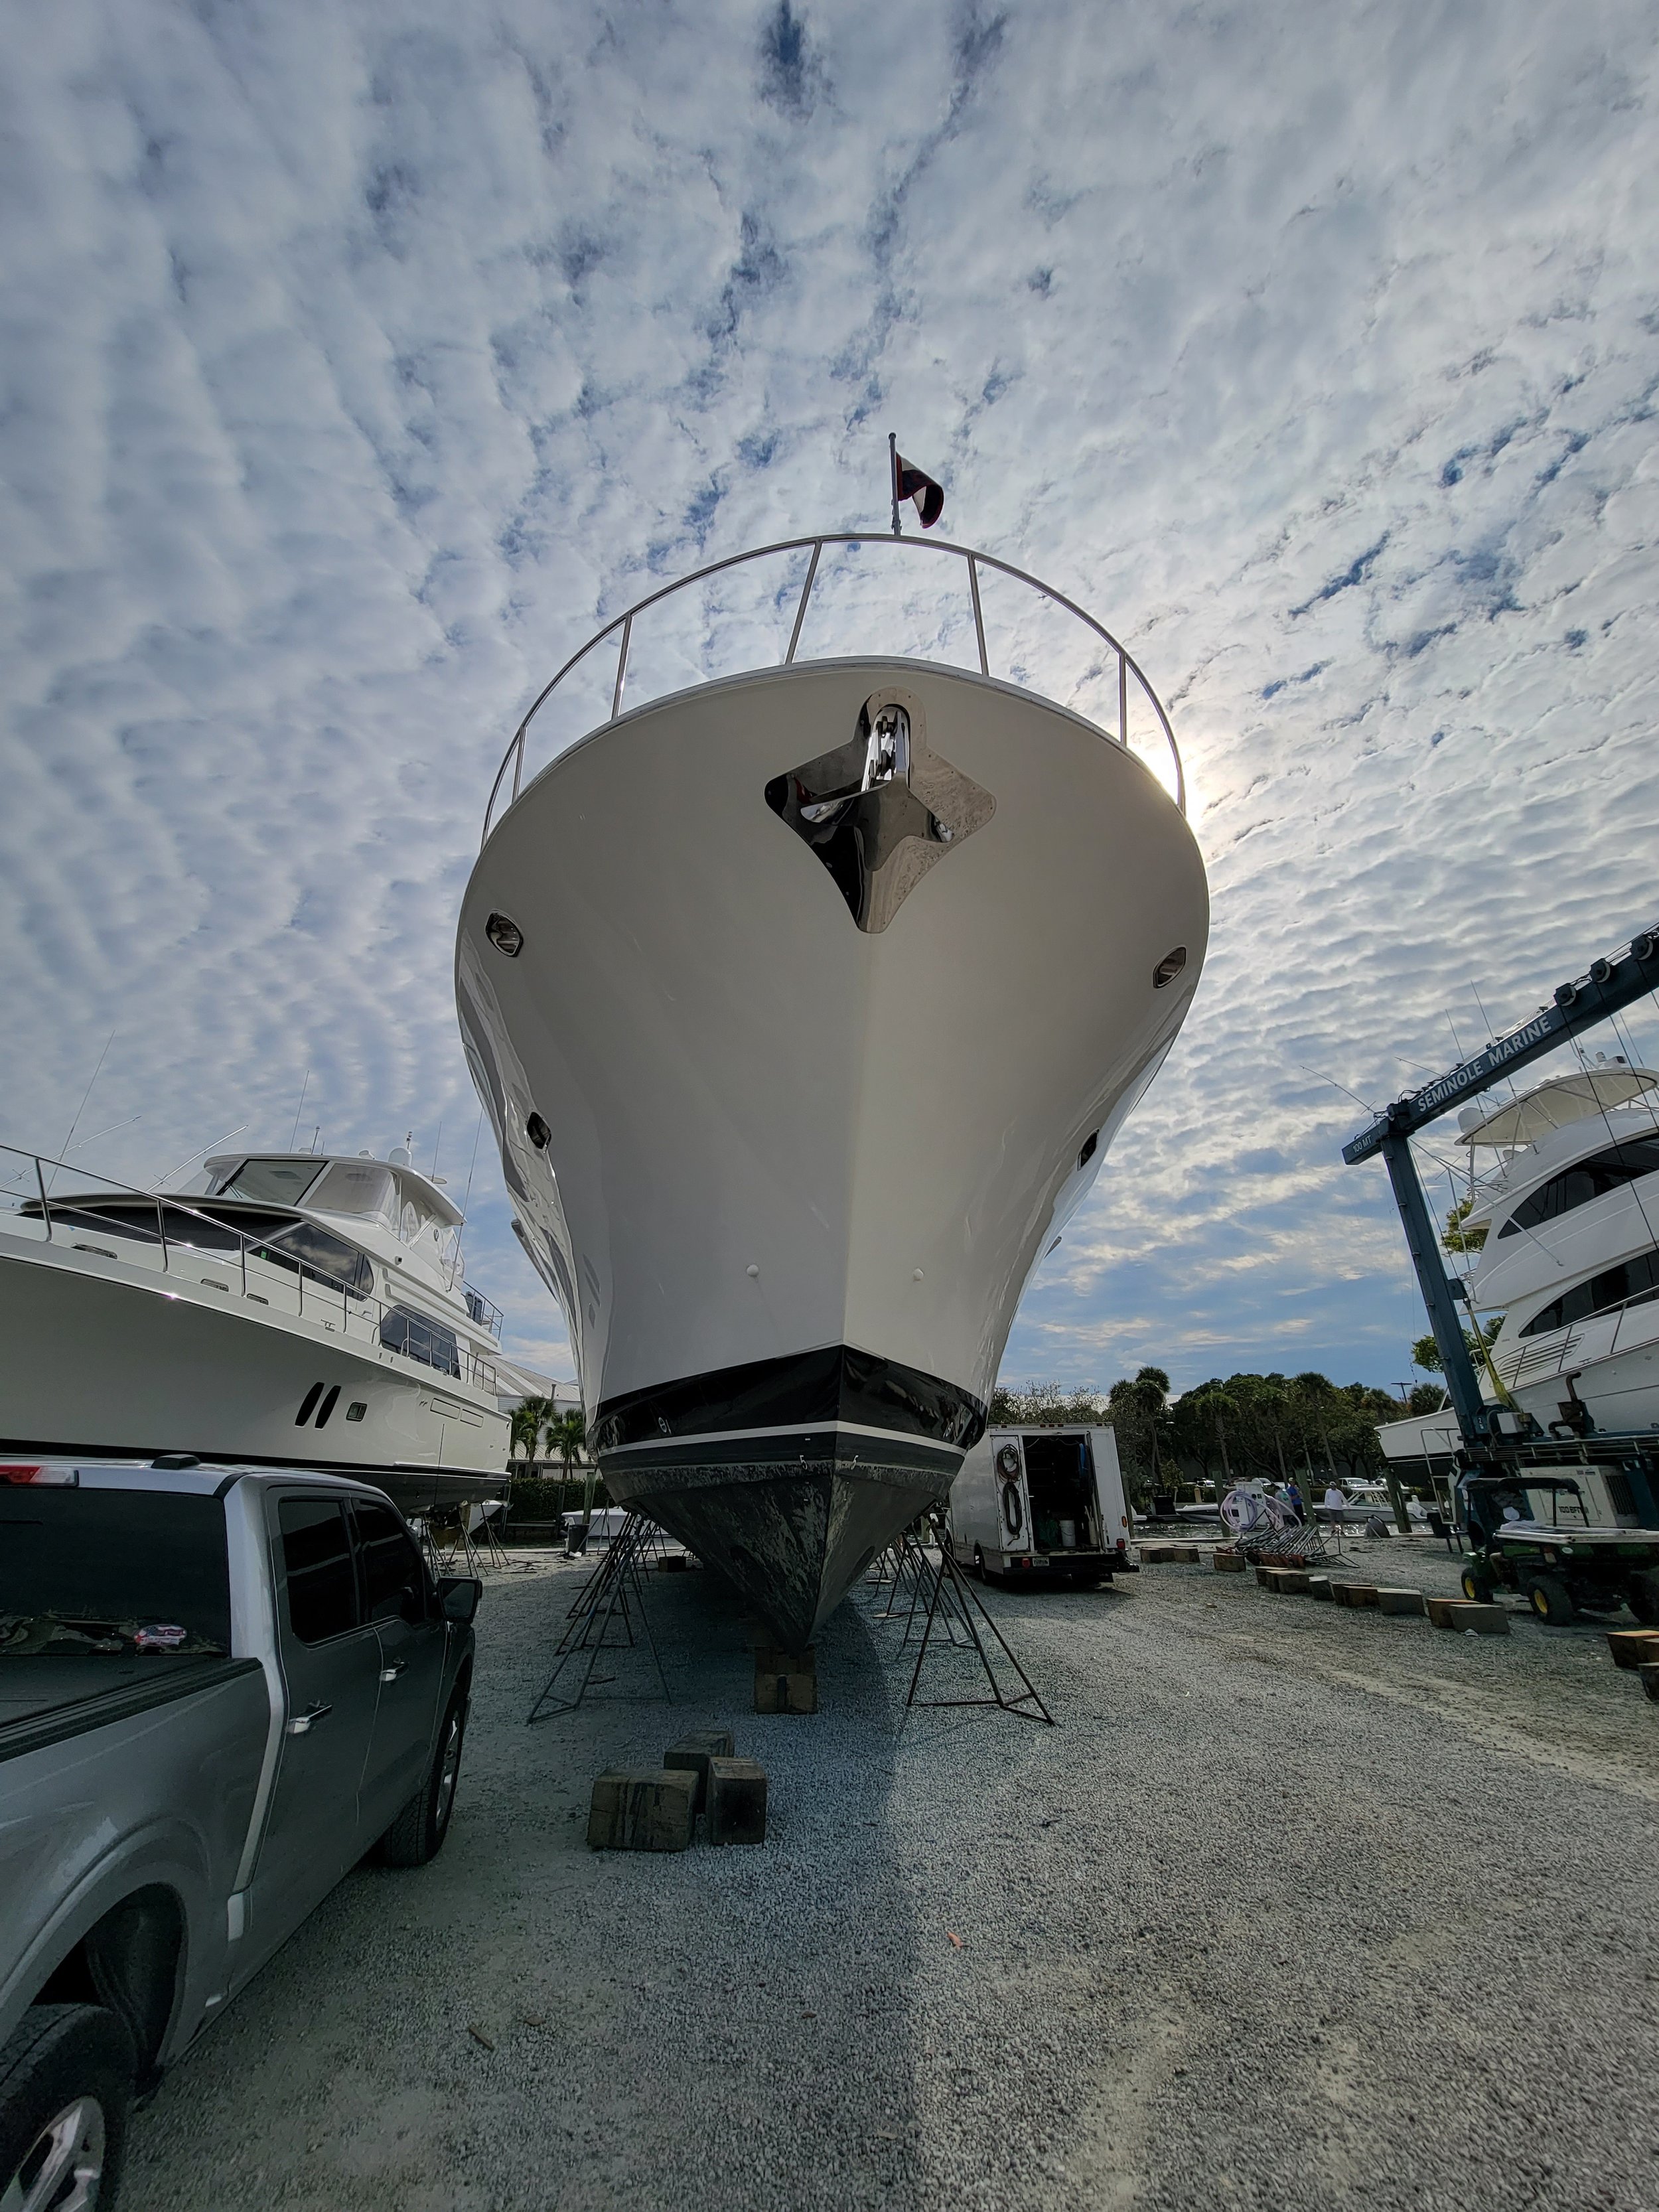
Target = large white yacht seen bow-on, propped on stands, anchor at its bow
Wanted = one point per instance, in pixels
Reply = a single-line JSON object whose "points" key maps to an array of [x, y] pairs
{"points": [[806, 988]]}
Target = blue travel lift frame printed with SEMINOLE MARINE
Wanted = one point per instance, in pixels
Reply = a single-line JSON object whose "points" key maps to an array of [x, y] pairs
{"points": [[1492, 1437]]}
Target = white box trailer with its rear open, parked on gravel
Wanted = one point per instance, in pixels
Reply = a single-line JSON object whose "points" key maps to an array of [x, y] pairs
{"points": [[1041, 1503]]}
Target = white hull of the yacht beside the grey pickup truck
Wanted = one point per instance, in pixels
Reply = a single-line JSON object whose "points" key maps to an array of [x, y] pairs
{"points": [[125, 1361]]}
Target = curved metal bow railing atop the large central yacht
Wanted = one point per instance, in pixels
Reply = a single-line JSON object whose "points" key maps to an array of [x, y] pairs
{"points": [[1134, 696]]}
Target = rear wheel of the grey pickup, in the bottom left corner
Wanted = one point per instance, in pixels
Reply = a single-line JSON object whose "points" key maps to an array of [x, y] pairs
{"points": [[65, 2098]]}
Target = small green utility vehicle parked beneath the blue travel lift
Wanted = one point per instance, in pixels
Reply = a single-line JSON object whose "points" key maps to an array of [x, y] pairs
{"points": [[1565, 1565]]}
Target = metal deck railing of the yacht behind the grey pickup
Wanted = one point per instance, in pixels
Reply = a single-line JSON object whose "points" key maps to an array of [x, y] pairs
{"points": [[74, 1220]]}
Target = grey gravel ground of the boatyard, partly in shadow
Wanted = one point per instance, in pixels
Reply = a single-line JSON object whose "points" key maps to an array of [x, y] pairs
{"points": [[1297, 1908]]}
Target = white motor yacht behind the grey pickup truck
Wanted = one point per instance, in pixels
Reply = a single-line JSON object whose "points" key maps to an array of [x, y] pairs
{"points": [[291, 1308]]}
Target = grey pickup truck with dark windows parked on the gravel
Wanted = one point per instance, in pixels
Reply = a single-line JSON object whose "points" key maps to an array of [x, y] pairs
{"points": [[218, 1691]]}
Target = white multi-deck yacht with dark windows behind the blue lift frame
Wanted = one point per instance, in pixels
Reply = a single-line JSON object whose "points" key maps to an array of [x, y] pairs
{"points": [[1567, 1233]]}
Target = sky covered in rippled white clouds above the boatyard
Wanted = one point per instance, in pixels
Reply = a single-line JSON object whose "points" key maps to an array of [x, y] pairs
{"points": [[362, 359]]}
